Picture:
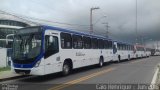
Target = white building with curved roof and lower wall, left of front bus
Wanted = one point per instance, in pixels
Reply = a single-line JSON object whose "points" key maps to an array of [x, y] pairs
{"points": [[9, 24]]}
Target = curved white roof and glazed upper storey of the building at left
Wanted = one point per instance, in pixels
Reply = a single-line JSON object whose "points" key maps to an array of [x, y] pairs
{"points": [[8, 25]]}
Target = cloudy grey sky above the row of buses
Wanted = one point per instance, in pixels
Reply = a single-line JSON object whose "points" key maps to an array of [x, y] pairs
{"points": [[119, 14]]}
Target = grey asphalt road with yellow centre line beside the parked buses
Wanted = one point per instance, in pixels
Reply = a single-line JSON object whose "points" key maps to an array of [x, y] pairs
{"points": [[134, 72]]}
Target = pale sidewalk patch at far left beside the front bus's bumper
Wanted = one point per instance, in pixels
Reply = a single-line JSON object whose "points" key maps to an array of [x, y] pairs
{"points": [[6, 75]]}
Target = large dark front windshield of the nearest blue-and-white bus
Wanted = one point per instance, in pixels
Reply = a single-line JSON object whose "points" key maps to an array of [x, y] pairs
{"points": [[26, 46]]}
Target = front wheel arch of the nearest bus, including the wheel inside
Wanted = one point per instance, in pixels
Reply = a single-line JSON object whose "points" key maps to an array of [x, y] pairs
{"points": [[67, 67]]}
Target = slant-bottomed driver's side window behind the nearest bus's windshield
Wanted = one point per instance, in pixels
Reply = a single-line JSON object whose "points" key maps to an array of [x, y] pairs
{"points": [[51, 45]]}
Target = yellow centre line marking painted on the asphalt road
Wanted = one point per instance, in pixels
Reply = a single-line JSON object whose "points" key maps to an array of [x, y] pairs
{"points": [[70, 83]]}
